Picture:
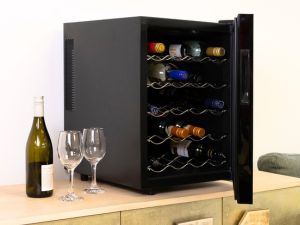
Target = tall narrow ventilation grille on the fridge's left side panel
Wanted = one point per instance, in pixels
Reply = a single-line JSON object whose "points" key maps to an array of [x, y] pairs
{"points": [[69, 74]]}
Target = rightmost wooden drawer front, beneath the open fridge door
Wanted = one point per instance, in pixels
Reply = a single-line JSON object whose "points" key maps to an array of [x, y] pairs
{"points": [[284, 206]]}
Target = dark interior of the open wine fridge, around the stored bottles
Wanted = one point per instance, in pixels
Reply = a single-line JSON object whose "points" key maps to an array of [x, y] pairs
{"points": [[174, 102]]}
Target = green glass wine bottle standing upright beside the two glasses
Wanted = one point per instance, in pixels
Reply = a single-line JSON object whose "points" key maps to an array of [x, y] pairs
{"points": [[39, 156]]}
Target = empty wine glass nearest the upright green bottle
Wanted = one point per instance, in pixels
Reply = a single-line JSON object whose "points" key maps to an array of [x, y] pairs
{"points": [[70, 154]]}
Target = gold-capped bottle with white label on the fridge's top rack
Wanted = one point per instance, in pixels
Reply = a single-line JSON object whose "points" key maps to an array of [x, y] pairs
{"points": [[195, 49]]}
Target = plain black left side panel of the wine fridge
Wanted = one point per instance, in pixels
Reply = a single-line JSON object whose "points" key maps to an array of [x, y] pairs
{"points": [[106, 92]]}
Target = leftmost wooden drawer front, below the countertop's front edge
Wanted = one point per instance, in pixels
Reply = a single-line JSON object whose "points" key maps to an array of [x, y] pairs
{"points": [[103, 219]]}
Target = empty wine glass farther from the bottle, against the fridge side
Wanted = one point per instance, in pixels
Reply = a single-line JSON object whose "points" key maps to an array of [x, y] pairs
{"points": [[94, 149]]}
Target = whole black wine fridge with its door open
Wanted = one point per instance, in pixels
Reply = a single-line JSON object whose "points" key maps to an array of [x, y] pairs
{"points": [[169, 128]]}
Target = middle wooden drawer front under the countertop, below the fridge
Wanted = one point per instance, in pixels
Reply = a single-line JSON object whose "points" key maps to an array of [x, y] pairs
{"points": [[172, 214]]}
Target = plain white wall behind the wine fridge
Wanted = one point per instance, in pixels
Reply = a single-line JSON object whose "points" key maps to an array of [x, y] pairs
{"points": [[32, 64]]}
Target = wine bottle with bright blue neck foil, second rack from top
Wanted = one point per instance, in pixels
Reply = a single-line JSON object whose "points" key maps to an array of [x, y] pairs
{"points": [[162, 72]]}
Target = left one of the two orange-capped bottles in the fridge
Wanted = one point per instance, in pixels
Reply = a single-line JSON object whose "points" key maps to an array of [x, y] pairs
{"points": [[165, 129]]}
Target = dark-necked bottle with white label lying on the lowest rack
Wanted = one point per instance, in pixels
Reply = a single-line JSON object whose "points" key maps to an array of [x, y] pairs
{"points": [[196, 150]]}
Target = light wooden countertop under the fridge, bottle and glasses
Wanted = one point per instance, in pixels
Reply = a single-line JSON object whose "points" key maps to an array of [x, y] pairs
{"points": [[16, 208]]}
